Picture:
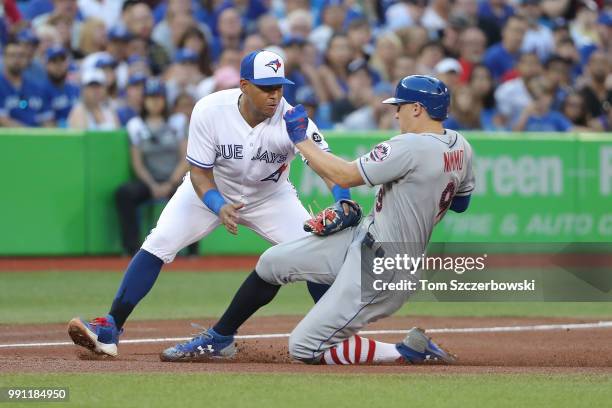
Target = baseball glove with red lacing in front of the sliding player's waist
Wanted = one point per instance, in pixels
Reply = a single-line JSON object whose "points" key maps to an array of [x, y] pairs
{"points": [[333, 219]]}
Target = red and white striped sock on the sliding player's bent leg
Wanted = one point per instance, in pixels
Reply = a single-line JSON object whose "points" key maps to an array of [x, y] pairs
{"points": [[359, 350]]}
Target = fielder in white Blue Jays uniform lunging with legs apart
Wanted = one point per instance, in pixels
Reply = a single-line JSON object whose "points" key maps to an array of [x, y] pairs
{"points": [[239, 153]]}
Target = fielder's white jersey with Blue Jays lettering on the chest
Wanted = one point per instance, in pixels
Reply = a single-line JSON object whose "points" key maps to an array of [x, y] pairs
{"points": [[249, 164]]}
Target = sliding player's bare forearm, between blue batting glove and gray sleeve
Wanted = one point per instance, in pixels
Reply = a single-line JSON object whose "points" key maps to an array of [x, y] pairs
{"points": [[329, 166]]}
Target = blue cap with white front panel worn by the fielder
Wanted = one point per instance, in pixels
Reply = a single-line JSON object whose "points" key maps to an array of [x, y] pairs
{"points": [[264, 68]]}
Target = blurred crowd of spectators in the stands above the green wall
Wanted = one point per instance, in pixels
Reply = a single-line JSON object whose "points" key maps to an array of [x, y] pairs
{"points": [[522, 65]]}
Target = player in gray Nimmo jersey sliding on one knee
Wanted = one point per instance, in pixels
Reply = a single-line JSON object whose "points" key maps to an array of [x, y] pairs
{"points": [[421, 174]]}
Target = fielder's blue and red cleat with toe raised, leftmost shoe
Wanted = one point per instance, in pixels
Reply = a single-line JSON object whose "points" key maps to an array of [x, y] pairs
{"points": [[100, 335]]}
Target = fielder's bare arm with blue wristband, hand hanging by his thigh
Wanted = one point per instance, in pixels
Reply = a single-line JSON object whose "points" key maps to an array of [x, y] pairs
{"points": [[204, 184]]}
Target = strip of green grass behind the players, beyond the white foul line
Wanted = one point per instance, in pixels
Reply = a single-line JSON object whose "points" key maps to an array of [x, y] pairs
{"points": [[31, 297]]}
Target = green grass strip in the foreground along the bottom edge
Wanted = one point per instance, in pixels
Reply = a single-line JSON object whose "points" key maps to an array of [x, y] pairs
{"points": [[321, 390]]}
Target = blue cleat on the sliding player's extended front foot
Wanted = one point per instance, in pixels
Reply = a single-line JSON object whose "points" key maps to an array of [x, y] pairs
{"points": [[205, 346]]}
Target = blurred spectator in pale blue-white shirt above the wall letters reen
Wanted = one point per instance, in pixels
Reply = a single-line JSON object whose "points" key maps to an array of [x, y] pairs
{"points": [[513, 96]]}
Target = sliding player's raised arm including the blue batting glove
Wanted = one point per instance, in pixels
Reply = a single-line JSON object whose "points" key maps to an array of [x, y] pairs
{"points": [[339, 171]]}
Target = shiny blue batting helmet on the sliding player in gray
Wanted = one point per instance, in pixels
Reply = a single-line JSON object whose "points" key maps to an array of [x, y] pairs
{"points": [[426, 90]]}
